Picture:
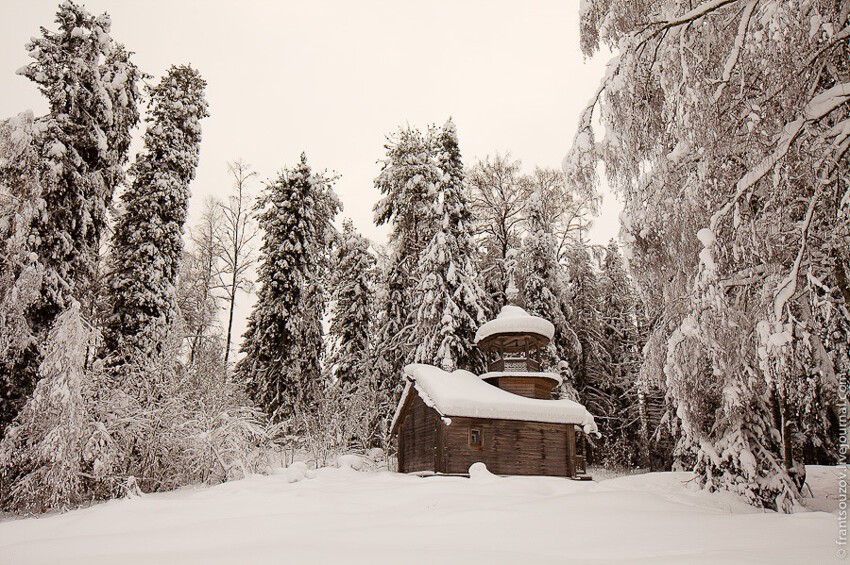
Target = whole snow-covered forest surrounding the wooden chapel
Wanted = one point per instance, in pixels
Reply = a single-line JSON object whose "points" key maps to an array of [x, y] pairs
{"points": [[719, 343]]}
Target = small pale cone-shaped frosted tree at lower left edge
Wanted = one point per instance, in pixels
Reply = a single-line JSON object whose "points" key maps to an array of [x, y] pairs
{"points": [[52, 454]]}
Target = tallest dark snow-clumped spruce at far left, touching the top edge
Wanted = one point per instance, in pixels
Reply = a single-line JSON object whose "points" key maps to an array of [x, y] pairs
{"points": [[82, 144]]}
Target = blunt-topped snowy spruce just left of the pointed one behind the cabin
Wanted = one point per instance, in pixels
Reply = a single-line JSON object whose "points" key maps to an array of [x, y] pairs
{"points": [[408, 183]]}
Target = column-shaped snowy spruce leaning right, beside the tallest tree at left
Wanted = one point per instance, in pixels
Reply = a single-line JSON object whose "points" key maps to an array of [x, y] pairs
{"points": [[148, 240]]}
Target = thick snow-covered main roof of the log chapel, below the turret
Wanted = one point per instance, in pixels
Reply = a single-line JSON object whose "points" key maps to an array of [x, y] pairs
{"points": [[463, 394]]}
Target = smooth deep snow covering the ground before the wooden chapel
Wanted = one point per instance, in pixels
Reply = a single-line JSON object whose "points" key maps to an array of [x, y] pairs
{"points": [[345, 516]]}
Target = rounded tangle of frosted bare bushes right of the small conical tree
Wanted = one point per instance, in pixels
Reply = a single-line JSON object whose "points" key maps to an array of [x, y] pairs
{"points": [[179, 425]]}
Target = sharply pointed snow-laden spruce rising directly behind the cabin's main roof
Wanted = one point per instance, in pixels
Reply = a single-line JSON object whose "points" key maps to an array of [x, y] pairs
{"points": [[449, 295]]}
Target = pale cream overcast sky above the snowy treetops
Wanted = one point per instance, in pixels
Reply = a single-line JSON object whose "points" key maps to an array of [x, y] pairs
{"points": [[334, 78]]}
